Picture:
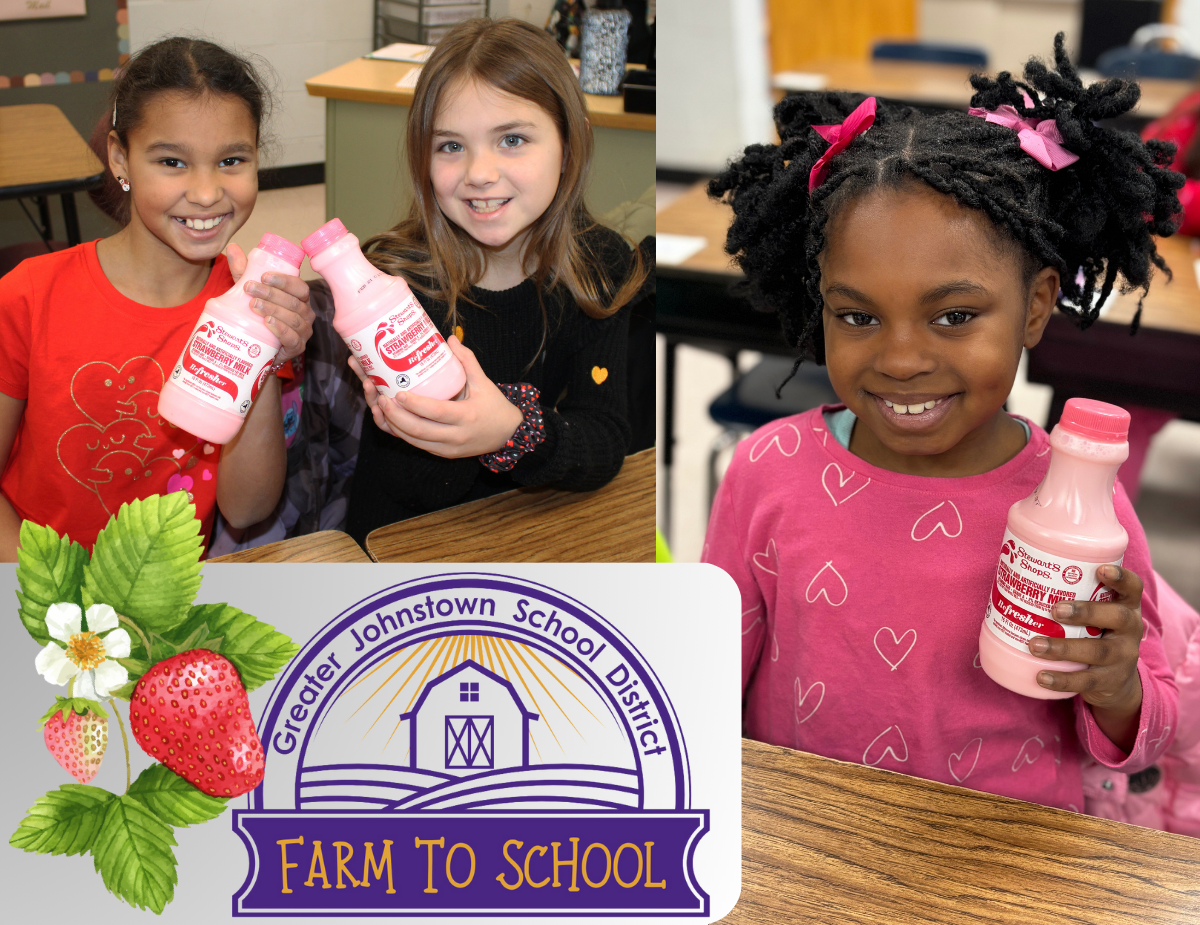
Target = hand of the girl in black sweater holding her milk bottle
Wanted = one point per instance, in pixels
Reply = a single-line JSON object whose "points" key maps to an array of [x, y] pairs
{"points": [[479, 422]]}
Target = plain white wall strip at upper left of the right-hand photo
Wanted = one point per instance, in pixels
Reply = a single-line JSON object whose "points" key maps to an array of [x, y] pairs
{"points": [[713, 91]]}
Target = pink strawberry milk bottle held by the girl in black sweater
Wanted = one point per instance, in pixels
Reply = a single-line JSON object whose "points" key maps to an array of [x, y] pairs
{"points": [[383, 325]]}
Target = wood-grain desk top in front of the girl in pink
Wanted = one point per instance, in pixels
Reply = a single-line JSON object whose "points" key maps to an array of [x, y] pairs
{"points": [[829, 842]]}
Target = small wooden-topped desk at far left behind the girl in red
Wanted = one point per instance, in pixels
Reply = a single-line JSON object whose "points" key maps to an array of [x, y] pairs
{"points": [[43, 155]]}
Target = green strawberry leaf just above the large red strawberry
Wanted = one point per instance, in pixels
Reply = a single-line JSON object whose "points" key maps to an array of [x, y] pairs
{"points": [[257, 650]]}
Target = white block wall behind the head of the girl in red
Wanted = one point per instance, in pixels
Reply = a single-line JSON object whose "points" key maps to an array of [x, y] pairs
{"points": [[298, 39]]}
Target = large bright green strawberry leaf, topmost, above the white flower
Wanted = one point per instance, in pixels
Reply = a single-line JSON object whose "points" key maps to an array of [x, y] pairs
{"points": [[147, 562]]}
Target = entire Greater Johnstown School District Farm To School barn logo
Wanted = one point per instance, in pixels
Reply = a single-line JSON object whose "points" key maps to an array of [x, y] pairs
{"points": [[476, 746]]}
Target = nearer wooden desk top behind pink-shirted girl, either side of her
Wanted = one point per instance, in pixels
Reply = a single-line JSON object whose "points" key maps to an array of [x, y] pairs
{"points": [[1172, 305]]}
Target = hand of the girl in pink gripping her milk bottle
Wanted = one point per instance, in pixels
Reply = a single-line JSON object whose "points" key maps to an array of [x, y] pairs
{"points": [[1111, 683]]}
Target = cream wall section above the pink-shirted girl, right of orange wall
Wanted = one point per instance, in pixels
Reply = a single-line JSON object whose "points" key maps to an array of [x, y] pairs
{"points": [[1010, 31]]}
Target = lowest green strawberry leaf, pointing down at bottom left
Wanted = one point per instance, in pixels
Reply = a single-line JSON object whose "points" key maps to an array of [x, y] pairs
{"points": [[134, 855]]}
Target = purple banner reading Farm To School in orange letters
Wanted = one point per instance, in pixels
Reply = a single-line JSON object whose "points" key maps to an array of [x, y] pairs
{"points": [[525, 863]]}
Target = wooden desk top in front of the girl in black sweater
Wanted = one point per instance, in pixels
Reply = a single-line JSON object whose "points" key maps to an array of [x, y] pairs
{"points": [[615, 524]]}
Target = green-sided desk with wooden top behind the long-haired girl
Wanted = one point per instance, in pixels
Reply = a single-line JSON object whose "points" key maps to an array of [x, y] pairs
{"points": [[367, 185]]}
